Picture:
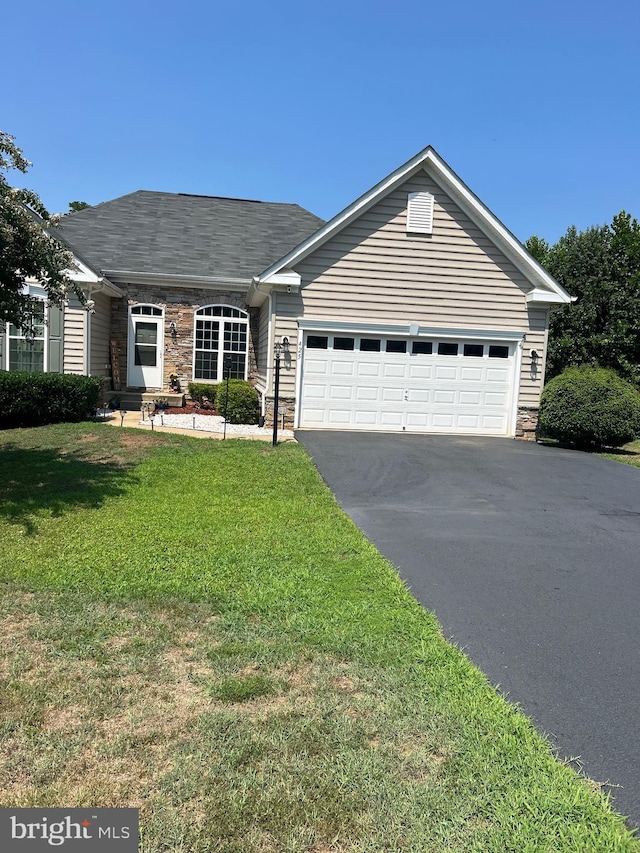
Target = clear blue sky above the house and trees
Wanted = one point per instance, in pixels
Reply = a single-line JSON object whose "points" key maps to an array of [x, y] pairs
{"points": [[536, 105]]}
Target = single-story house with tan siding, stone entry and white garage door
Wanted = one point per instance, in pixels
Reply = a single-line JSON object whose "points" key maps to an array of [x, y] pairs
{"points": [[414, 309]]}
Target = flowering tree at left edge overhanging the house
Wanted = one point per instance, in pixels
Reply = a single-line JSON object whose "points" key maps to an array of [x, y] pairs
{"points": [[27, 249]]}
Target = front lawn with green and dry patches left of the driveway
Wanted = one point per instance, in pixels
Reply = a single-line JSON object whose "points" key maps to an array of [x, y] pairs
{"points": [[196, 629]]}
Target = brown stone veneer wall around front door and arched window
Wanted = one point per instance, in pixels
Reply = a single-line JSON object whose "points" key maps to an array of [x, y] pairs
{"points": [[179, 305]]}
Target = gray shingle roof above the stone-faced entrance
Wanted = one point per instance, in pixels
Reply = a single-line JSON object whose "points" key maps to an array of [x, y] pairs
{"points": [[180, 234]]}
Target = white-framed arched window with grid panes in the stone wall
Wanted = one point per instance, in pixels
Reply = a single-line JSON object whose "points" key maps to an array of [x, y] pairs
{"points": [[221, 332]]}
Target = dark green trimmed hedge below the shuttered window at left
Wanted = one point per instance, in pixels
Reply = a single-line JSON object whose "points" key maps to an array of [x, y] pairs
{"points": [[34, 399]]}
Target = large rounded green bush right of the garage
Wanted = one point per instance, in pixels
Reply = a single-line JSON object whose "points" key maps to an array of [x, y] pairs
{"points": [[590, 407]]}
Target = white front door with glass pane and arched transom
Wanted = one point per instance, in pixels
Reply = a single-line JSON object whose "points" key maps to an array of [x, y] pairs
{"points": [[146, 333]]}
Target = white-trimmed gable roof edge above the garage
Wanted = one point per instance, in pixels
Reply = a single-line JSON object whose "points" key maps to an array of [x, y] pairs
{"points": [[545, 289]]}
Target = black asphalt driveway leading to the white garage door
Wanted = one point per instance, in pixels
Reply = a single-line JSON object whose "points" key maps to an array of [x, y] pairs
{"points": [[530, 557]]}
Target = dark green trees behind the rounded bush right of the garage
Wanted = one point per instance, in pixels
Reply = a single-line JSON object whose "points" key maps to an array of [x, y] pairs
{"points": [[601, 268]]}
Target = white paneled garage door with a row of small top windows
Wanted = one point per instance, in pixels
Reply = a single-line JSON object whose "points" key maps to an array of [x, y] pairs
{"points": [[385, 383]]}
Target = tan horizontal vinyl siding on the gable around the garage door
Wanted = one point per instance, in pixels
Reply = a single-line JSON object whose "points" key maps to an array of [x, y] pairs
{"points": [[373, 271]]}
